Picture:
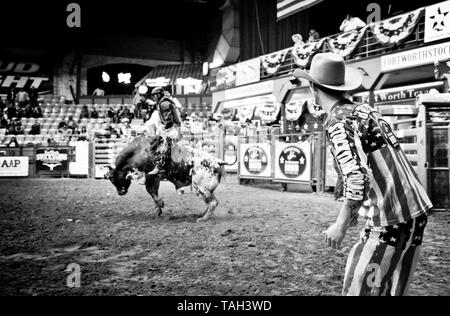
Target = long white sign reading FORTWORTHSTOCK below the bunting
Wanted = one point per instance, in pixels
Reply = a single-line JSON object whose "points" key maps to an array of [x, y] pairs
{"points": [[415, 57]]}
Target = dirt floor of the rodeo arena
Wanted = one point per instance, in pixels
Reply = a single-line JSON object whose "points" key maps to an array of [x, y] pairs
{"points": [[261, 241]]}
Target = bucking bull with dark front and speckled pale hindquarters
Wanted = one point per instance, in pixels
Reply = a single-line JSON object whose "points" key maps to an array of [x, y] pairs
{"points": [[183, 166]]}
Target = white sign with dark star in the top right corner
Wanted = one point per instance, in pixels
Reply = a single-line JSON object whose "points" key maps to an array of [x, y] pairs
{"points": [[437, 22]]}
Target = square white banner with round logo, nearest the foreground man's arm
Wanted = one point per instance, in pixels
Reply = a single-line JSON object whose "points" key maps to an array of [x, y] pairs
{"points": [[293, 161]]}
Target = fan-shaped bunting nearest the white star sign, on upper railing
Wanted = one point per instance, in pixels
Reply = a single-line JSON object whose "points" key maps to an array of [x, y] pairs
{"points": [[396, 29]]}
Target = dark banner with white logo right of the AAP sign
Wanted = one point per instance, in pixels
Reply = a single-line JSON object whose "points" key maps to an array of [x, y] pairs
{"points": [[53, 159]]}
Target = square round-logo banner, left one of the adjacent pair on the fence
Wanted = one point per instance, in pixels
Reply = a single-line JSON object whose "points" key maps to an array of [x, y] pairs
{"points": [[255, 160]]}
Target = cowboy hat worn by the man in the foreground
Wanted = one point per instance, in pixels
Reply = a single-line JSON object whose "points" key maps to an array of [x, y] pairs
{"points": [[329, 70]]}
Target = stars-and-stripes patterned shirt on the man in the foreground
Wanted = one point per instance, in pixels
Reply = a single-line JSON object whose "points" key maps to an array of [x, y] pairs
{"points": [[375, 169]]}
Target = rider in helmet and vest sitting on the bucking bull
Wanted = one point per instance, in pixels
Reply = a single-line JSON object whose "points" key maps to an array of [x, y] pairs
{"points": [[165, 121]]}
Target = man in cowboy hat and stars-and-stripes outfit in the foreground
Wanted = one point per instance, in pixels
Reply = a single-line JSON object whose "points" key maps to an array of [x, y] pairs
{"points": [[379, 184]]}
